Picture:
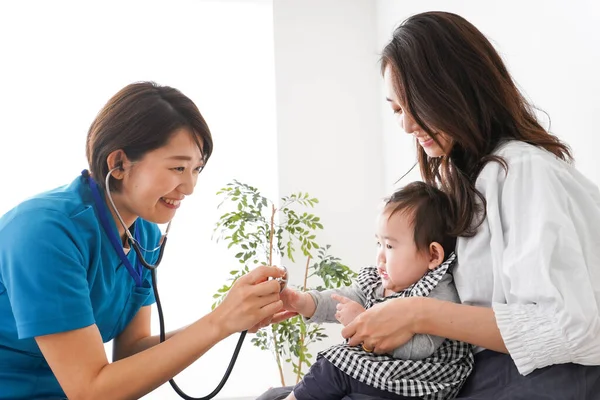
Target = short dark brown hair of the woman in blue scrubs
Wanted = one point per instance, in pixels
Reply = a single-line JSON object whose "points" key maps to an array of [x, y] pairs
{"points": [[140, 118]]}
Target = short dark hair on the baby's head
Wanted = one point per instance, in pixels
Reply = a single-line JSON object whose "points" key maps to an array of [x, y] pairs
{"points": [[432, 212]]}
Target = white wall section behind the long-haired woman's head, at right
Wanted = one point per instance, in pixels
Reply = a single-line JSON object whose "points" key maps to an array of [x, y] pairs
{"points": [[552, 49]]}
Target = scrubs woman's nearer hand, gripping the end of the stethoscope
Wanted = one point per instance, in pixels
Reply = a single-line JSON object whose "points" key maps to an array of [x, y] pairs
{"points": [[251, 300]]}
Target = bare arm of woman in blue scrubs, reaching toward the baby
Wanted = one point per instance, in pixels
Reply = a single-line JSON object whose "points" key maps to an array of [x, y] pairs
{"points": [[79, 362]]}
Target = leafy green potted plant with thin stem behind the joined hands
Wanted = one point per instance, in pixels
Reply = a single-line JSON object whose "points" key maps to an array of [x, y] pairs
{"points": [[256, 229]]}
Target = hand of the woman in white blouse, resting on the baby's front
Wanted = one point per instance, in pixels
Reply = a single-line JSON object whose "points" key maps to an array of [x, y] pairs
{"points": [[385, 326]]}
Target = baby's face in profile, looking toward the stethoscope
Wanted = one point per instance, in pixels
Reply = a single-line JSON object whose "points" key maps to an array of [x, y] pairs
{"points": [[399, 262]]}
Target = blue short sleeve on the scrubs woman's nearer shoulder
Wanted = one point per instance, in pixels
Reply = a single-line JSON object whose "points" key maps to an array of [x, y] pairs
{"points": [[43, 268]]}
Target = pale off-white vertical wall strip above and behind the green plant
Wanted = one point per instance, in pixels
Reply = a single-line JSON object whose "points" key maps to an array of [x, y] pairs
{"points": [[328, 122]]}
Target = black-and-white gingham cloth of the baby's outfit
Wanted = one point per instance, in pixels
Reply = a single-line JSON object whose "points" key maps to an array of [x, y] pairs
{"points": [[439, 376]]}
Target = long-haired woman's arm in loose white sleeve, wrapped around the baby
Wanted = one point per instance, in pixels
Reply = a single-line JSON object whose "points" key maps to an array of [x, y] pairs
{"points": [[545, 254]]}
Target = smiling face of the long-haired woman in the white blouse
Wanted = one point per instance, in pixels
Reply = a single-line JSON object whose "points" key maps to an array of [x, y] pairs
{"points": [[408, 124]]}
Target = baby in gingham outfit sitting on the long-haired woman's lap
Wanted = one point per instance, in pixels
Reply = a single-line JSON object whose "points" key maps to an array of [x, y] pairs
{"points": [[414, 258]]}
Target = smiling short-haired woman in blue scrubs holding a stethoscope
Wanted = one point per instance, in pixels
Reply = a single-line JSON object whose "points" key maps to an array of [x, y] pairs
{"points": [[69, 280]]}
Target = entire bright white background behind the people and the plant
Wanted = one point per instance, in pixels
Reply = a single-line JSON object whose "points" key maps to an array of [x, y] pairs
{"points": [[292, 93]]}
